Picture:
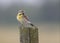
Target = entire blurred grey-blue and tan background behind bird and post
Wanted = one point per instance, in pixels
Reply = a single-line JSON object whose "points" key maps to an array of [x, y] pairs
{"points": [[45, 14]]}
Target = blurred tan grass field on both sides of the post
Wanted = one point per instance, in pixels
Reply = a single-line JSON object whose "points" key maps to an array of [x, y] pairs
{"points": [[10, 34]]}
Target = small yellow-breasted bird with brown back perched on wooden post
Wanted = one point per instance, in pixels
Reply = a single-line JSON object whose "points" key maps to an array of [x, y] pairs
{"points": [[22, 18]]}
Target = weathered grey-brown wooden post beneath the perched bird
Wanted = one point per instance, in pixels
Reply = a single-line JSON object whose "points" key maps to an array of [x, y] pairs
{"points": [[28, 35]]}
